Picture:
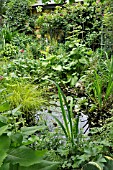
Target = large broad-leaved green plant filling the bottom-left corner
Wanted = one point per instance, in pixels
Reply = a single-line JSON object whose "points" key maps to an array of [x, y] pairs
{"points": [[15, 154]]}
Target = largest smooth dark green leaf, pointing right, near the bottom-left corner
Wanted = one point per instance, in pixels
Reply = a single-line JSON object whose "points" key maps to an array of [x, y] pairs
{"points": [[24, 156]]}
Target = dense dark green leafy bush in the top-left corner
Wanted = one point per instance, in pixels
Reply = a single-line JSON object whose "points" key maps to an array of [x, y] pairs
{"points": [[18, 16]]}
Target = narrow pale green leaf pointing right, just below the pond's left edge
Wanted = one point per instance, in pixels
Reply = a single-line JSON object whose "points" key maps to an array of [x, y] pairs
{"points": [[32, 130]]}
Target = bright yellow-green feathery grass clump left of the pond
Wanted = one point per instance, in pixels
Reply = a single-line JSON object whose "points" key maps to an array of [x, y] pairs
{"points": [[30, 96]]}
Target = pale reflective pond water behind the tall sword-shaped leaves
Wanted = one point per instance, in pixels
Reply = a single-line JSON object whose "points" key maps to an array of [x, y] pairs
{"points": [[54, 109]]}
